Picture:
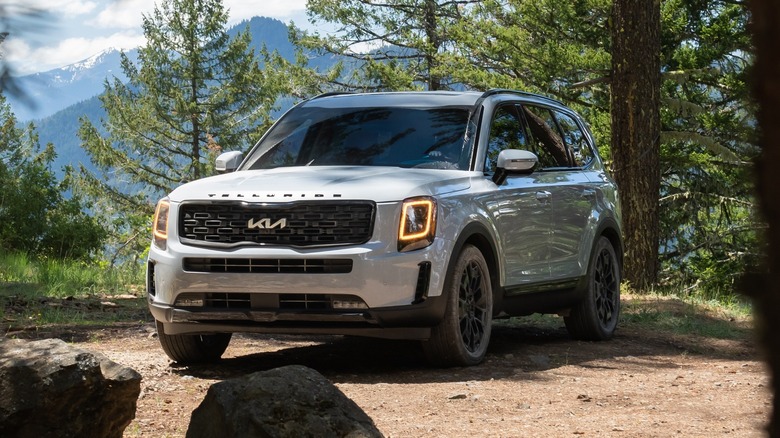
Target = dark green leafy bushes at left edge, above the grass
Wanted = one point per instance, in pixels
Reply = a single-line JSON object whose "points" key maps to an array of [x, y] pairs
{"points": [[35, 216]]}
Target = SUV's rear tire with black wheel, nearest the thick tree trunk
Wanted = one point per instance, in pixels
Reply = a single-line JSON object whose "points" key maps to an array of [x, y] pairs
{"points": [[595, 318]]}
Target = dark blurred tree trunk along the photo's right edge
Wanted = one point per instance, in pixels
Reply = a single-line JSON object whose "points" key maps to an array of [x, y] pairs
{"points": [[765, 289]]}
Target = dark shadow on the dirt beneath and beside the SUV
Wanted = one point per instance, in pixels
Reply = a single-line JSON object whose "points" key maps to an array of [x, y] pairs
{"points": [[515, 352]]}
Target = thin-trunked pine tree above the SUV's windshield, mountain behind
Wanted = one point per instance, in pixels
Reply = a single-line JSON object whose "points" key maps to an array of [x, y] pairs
{"points": [[394, 44]]}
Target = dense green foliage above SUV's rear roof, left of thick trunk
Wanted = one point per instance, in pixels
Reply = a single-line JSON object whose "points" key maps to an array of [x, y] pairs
{"points": [[550, 47]]}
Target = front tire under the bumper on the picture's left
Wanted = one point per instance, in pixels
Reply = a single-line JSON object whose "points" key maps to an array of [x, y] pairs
{"points": [[189, 349]]}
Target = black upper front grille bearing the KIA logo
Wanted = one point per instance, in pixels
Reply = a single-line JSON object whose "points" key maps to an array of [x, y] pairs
{"points": [[288, 224]]}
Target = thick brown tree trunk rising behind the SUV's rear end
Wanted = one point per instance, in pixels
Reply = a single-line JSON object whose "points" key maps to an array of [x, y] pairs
{"points": [[636, 127]]}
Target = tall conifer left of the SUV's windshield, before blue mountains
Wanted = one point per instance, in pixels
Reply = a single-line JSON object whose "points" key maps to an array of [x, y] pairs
{"points": [[195, 92]]}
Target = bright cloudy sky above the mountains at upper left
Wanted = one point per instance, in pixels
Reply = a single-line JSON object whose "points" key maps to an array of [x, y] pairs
{"points": [[73, 30]]}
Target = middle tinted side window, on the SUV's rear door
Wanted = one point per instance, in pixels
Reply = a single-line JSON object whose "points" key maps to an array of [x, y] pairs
{"points": [[546, 138]]}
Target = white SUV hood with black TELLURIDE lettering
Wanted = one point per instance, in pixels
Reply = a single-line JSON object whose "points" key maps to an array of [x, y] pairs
{"points": [[379, 184]]}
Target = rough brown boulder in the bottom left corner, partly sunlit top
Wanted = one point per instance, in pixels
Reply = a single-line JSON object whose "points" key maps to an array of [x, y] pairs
{"points": [[51, 389]]}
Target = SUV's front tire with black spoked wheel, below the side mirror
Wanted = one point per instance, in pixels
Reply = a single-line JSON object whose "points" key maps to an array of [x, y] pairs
{"points": [[462, 337]]}
